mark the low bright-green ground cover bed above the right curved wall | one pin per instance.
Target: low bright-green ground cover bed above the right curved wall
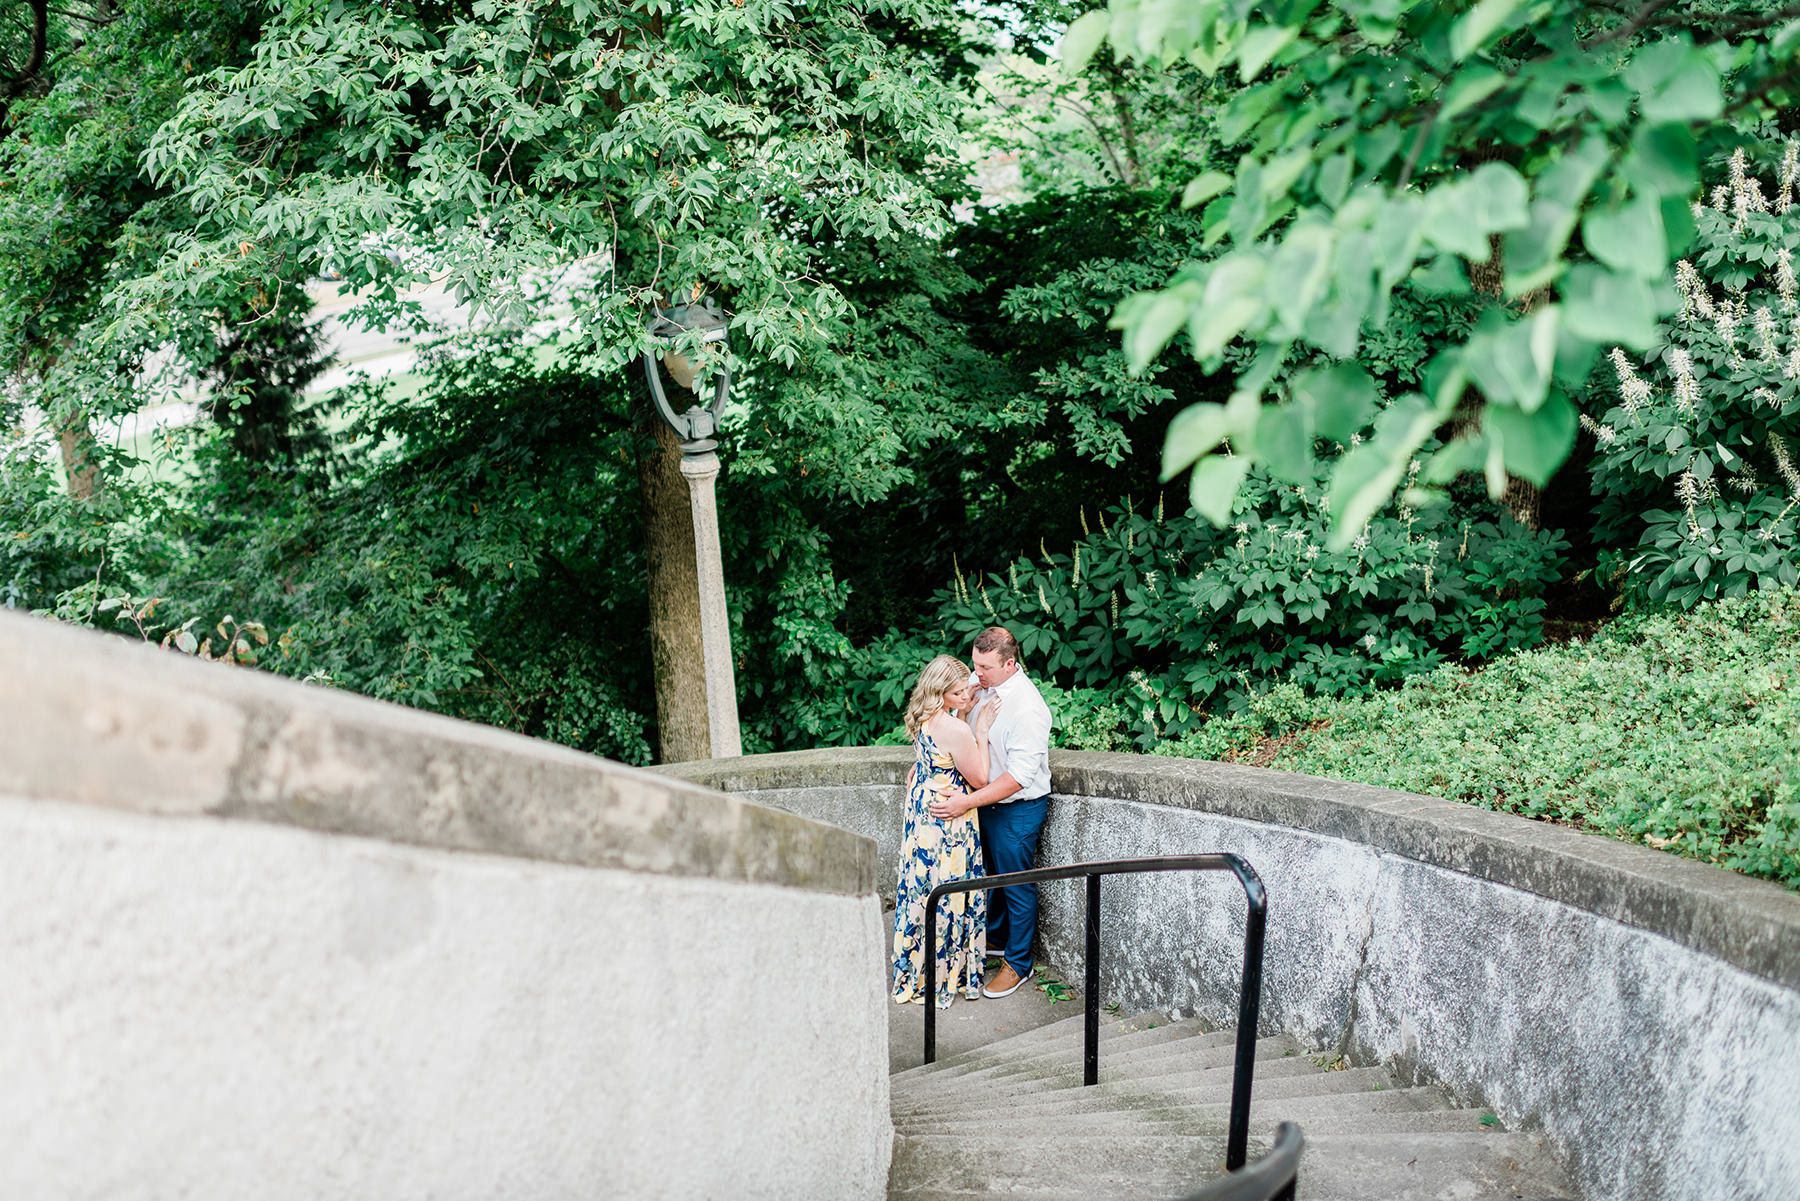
(1675, 730)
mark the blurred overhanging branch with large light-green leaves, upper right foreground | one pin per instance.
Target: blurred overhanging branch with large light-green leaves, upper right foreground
(1450, 145)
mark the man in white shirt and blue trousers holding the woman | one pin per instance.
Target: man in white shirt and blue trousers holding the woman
(1014, 804)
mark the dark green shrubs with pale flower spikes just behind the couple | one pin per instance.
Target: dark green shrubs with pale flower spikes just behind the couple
(1174, 619)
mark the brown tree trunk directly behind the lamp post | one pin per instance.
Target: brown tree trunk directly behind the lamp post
(676, 649)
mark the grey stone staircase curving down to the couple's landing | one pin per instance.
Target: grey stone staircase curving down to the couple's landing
(1012, 1121)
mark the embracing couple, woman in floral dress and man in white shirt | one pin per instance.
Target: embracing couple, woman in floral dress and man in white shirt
(975, 806)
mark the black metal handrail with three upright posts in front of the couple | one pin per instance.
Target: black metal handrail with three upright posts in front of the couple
(1257, 912)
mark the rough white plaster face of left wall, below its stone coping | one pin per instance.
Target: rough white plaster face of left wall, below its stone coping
(228, 1009)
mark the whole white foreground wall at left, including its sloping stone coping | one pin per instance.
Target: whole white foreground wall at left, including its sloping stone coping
(271, 941)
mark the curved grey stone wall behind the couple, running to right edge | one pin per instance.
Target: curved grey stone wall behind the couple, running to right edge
(1639, 1009)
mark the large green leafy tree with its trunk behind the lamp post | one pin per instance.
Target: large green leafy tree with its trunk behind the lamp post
(586, 159)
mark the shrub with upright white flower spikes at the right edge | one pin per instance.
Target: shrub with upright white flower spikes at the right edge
(1695, 465)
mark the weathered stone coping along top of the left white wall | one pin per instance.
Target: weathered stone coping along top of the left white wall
(107, 723)
